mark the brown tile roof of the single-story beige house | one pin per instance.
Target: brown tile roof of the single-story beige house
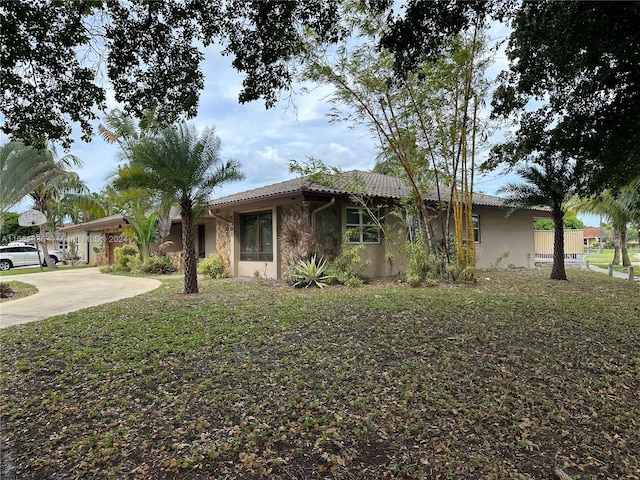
(370, 183)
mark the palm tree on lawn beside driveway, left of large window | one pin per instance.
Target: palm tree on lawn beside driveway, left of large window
(184, 167)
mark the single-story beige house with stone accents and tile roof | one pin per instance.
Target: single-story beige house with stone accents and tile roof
(251, 225)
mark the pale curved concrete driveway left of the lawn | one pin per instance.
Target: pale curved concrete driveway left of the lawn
(64, 290)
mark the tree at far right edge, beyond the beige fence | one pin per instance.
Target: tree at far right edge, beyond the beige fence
(619, 209)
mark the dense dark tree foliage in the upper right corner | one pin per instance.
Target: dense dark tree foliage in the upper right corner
(576, 53)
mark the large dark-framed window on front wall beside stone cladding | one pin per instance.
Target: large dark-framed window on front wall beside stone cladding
(256, 237)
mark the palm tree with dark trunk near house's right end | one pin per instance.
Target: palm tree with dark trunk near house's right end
(549, 183)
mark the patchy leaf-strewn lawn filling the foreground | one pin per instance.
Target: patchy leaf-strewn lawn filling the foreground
(510, 378)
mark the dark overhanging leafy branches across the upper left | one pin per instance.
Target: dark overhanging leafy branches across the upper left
(128, 37)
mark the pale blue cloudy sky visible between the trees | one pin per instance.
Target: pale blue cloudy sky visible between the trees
(264, 140)
